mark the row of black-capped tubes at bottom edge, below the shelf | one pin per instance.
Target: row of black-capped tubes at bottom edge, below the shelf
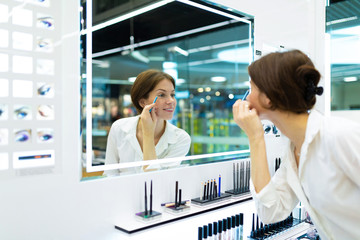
(230, 228)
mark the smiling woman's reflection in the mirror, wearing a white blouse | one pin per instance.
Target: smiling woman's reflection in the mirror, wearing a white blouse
(148, 136)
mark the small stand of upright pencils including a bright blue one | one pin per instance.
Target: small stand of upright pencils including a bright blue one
(210, 192)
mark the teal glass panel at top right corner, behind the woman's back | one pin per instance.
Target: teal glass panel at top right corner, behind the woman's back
(343, 26)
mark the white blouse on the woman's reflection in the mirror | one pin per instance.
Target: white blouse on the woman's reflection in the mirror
(123, 146)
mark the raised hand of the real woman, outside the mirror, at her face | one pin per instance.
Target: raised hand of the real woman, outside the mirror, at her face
(247, 119)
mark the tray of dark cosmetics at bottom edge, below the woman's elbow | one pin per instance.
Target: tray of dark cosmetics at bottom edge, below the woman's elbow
(263, 231)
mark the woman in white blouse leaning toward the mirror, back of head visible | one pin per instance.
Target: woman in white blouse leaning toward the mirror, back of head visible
(321, 167)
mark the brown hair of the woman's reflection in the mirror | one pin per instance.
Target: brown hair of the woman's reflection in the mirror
(145, 82)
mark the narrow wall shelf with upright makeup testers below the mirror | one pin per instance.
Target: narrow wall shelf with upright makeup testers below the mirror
(211, 196)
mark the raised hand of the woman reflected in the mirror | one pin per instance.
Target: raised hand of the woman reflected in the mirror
(148, 120)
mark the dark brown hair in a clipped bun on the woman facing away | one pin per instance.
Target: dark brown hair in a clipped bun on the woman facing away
(288, 79)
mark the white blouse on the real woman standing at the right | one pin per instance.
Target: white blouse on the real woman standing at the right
(327, 182)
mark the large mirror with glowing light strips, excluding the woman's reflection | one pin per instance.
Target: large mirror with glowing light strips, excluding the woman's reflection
(205, 47)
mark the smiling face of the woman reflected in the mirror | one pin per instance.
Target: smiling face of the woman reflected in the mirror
(166, 102)
